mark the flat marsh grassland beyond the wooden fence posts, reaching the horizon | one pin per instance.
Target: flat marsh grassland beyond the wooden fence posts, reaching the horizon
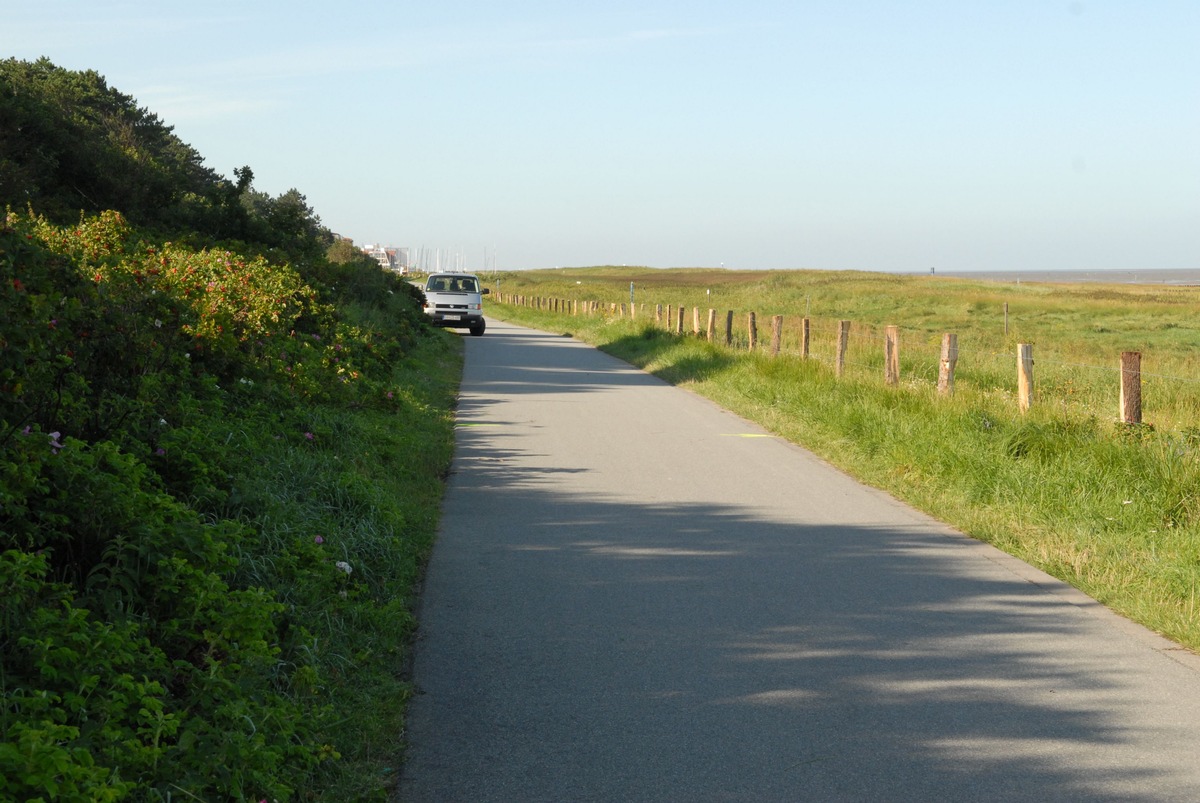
(1078, 331)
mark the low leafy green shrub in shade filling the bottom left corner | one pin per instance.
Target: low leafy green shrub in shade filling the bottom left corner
(127, 654)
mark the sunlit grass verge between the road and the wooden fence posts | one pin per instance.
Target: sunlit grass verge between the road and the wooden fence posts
(1113, 511)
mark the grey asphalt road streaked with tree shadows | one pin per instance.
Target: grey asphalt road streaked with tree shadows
(637, 596)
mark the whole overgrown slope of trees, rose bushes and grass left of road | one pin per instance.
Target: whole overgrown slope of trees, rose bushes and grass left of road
(224, 438)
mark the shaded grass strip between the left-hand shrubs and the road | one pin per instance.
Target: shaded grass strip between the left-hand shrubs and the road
(325, 487)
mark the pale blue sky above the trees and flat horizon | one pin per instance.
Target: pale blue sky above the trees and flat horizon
(1001, 135)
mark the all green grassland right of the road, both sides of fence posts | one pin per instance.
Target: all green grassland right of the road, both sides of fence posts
(1113, 510)
